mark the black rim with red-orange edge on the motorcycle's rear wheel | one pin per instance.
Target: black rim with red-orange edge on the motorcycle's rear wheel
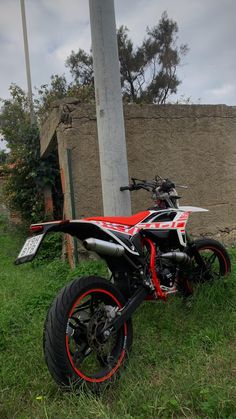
(93, 356)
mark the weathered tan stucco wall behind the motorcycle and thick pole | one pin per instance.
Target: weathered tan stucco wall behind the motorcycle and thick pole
(191, 144)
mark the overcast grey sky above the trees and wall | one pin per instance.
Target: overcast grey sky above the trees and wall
(55, 27)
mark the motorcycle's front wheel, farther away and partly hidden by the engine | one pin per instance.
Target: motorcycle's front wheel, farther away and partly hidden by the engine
(209, 262)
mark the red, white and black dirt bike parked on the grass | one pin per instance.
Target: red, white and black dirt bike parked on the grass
(150, 255)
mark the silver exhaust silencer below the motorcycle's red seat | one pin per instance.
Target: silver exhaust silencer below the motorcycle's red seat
(104, 248)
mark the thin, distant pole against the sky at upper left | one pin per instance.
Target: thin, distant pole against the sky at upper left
(27, 62)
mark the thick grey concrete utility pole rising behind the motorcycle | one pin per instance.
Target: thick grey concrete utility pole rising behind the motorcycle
(110, 119)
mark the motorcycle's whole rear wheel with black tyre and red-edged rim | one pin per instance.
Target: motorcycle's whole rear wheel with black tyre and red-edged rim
(74, 350)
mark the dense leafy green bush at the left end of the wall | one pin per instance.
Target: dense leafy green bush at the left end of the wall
(27, 174)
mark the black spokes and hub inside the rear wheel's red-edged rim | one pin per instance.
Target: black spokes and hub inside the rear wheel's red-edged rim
(90, 352)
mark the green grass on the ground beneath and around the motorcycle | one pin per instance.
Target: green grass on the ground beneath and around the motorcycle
(183, 362)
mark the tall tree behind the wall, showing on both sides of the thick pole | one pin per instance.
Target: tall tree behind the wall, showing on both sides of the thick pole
(148, 72)
